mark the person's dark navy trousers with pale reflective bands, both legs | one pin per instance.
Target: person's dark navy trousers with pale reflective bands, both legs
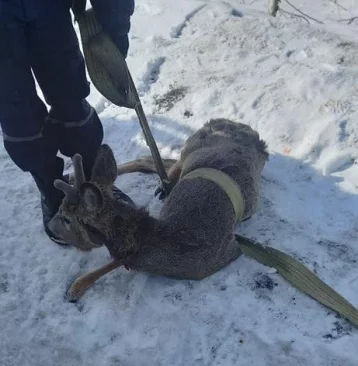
(37, 38)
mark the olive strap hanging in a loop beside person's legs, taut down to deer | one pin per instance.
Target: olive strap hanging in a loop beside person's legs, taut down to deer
(110, 75)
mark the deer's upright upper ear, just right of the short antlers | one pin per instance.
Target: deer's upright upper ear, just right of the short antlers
(104, 171)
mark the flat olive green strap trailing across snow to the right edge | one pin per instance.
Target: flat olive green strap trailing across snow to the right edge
(300, 277)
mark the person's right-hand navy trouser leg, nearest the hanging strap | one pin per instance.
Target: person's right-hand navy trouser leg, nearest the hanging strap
(60, 71)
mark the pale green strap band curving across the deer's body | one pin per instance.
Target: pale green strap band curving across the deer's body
(225, 182)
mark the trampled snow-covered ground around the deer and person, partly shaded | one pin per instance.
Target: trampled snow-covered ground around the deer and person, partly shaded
(297, 84)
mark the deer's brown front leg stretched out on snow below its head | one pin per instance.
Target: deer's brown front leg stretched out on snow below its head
(82, 283)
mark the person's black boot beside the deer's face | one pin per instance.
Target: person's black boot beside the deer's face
(51, 197)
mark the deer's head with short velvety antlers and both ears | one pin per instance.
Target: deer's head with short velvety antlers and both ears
(85, 214)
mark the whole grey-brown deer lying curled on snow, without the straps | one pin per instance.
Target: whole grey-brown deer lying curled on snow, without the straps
(193, 237)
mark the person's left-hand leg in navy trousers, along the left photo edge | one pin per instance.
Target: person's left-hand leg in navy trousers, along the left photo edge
(29, 142)
